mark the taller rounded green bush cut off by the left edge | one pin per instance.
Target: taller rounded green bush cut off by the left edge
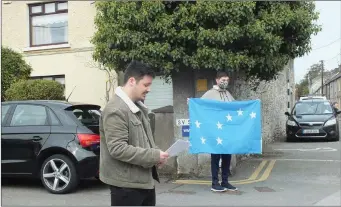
(13, 68)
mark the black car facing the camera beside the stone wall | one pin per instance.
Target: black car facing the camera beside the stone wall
(312, 118)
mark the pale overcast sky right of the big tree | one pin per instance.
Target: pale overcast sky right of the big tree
(330, 20)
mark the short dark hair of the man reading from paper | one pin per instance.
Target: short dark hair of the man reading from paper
(137, 70)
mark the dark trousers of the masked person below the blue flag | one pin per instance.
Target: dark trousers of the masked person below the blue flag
(225, 167)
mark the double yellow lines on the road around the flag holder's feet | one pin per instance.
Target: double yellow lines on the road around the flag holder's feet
(251, 179)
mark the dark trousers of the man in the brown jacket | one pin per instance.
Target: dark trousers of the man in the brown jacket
(132, 196)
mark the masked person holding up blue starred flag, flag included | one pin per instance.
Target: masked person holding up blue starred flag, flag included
(221, 126)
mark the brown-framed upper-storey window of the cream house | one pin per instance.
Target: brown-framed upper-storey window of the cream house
(48, 23)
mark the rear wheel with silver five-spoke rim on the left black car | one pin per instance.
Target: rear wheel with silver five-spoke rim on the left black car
(58, 174)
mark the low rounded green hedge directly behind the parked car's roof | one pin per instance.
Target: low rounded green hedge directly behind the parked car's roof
(35, 90)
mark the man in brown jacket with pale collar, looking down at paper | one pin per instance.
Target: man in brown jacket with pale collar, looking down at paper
(128, 154)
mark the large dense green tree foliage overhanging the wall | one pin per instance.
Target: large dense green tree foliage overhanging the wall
(258, 38)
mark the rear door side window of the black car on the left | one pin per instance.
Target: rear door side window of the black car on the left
(29, 115)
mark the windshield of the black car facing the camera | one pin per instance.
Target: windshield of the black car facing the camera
(312, 108)
